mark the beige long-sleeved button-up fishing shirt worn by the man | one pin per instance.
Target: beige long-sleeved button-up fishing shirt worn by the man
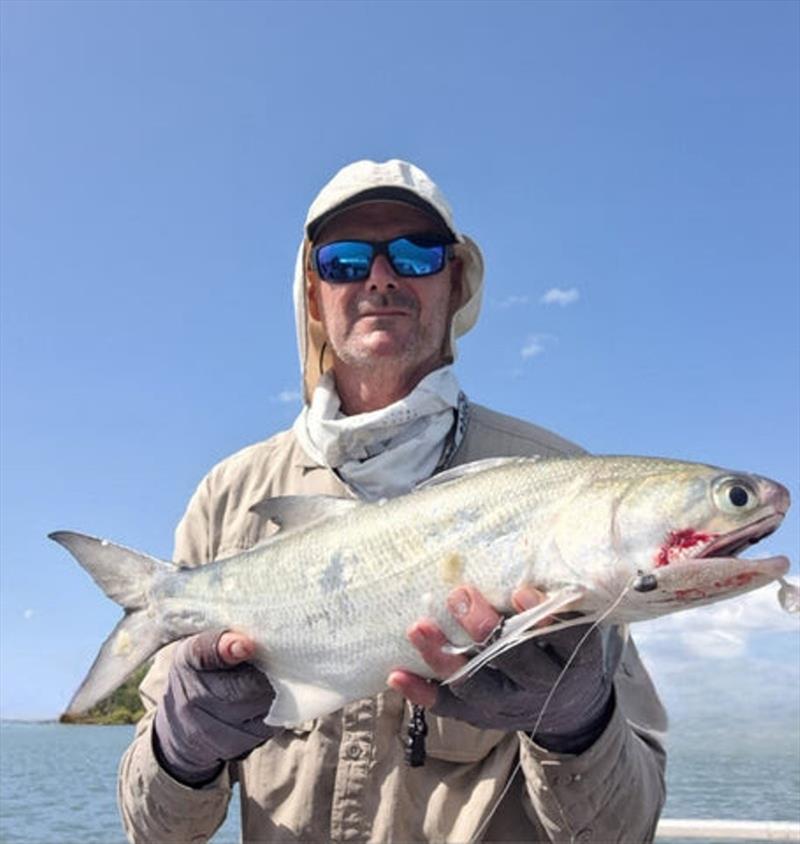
(342, 777)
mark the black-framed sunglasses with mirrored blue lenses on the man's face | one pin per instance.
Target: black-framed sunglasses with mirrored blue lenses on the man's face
(410, 256)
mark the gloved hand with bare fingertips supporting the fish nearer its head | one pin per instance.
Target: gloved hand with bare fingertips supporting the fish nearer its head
(511, 692)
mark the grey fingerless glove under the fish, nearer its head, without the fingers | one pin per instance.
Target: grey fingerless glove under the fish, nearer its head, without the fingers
(511, 691)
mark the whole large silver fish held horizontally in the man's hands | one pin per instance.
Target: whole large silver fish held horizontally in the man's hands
(328, 599)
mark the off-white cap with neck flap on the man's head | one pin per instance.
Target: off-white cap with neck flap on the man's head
(369, 181)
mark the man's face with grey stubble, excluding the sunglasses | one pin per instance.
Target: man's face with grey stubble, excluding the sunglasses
(386, 318)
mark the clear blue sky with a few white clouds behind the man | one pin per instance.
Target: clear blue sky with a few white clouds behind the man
(629, 169)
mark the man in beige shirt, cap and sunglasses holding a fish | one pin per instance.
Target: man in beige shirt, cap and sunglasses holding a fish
(384, 285)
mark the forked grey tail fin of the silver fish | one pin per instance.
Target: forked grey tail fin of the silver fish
(126, 576)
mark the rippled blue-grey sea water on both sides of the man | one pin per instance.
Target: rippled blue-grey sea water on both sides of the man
(57, 782)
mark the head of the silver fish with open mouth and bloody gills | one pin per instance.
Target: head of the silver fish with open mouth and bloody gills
(689, 557)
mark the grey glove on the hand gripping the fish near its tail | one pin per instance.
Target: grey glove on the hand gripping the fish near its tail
(211, 713)
